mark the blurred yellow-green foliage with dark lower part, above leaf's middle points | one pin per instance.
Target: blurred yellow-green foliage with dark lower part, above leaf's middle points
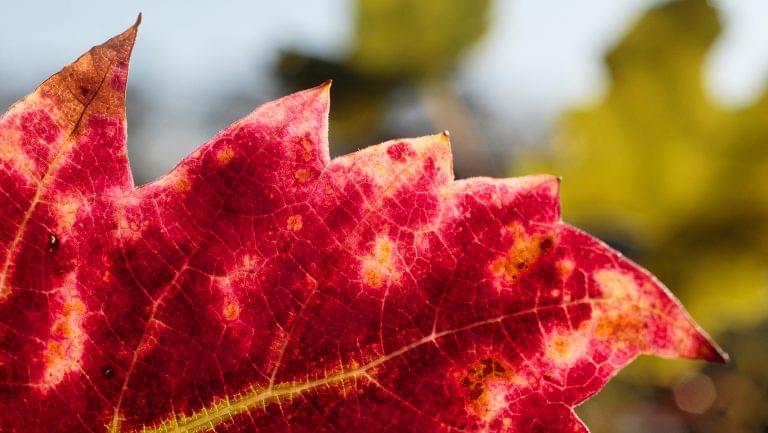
(398, 46)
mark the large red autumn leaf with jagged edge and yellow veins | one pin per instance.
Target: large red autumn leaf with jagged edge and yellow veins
(261, 286)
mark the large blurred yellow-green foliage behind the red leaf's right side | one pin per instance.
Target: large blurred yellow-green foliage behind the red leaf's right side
(672, 177)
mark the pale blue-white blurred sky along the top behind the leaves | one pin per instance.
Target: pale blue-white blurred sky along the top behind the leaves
(541, 55)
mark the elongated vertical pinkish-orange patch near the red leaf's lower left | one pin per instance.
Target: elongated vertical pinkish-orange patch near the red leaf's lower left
(64, 348)
